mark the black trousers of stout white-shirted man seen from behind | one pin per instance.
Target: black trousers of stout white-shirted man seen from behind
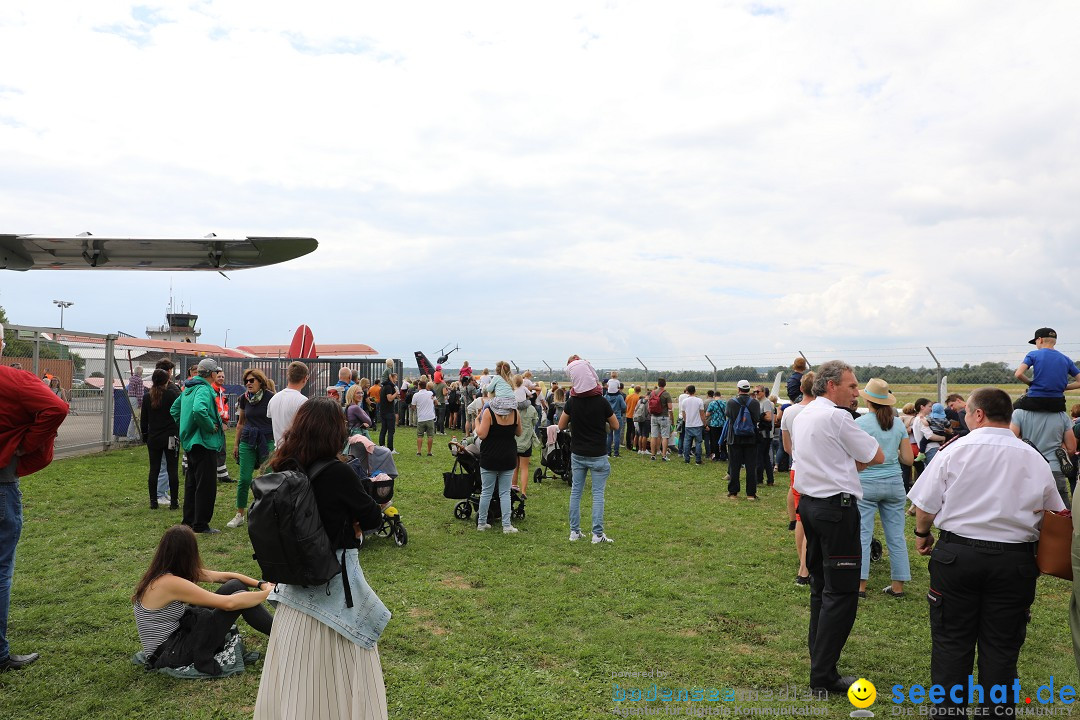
(979, 599)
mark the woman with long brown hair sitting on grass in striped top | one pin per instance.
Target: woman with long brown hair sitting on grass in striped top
(179, 622)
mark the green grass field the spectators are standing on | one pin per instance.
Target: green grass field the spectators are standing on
(485, 627)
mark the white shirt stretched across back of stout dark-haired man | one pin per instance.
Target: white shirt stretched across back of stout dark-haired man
(989, 485)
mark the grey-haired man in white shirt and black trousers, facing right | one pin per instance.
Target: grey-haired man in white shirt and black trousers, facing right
(830, 451)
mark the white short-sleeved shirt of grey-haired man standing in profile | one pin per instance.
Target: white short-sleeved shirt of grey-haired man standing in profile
(827, 443)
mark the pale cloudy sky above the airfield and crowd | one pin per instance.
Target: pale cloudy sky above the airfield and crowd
(742, 181)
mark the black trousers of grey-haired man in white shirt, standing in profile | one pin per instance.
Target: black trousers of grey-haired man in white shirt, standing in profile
(834, 559)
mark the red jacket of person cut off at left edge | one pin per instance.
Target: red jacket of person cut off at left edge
(30, 416)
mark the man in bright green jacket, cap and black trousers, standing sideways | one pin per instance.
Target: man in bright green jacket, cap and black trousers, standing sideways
(202, 438)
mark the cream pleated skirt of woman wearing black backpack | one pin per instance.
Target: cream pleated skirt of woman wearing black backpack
(314, 673)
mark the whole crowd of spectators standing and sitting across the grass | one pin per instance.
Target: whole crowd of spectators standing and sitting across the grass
(951, 461)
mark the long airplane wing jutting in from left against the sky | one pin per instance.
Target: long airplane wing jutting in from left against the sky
(86, 252)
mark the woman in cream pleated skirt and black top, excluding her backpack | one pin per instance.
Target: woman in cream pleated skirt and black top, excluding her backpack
(323, 660)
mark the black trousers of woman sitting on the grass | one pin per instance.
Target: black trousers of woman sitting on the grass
(204, 631)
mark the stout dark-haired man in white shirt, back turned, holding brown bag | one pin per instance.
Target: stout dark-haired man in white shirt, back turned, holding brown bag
(983, 572)
